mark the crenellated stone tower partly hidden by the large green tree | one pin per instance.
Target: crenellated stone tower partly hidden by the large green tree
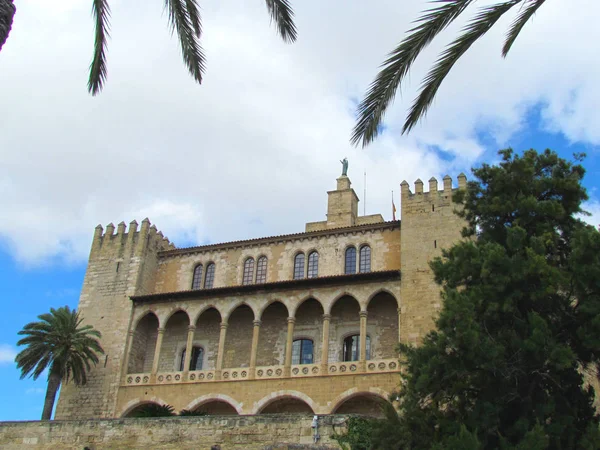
(429, 224)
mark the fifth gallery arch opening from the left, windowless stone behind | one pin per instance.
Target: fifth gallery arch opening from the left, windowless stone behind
(272, 336)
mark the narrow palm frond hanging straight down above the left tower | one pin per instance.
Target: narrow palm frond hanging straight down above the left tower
(101, 13)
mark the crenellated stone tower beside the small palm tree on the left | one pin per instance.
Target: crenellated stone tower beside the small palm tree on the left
(120, 264)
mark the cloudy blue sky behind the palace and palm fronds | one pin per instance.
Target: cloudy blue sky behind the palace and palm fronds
(253, 150)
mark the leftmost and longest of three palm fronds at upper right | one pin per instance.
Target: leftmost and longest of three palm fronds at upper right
(383, 89)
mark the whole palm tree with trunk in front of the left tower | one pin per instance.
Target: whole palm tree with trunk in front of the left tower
(60, 344)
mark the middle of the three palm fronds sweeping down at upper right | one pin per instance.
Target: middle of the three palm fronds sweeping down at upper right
(480, 25)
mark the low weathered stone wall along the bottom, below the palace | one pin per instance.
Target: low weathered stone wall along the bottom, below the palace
(198, 433)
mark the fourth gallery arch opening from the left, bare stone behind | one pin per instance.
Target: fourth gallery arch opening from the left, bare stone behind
(238, 344)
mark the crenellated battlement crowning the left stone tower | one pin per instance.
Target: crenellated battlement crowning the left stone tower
(129, 241)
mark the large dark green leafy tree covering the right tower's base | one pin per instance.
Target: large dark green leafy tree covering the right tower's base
(520, 319)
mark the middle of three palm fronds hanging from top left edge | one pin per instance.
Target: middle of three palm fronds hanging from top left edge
(184, 18)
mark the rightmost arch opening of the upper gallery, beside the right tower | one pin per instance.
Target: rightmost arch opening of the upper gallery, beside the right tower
(382, 325)
